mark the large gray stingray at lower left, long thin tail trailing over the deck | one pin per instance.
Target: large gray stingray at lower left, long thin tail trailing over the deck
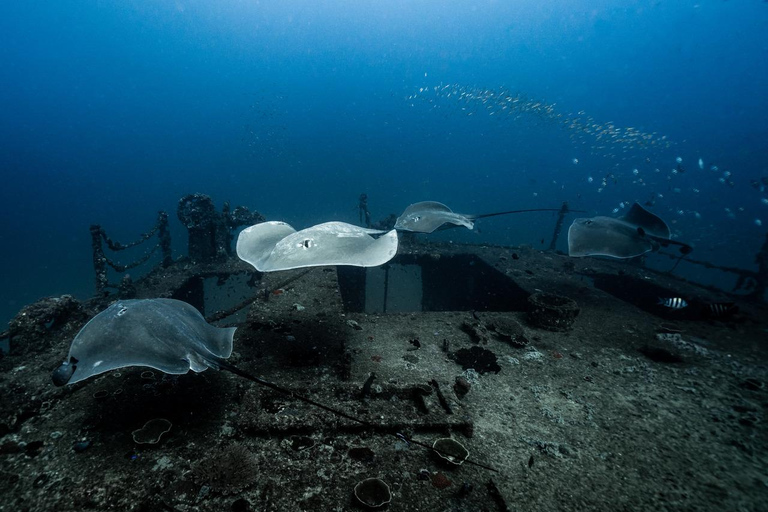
(171, 336)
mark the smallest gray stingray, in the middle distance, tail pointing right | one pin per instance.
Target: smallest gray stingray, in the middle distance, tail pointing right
(429, 216)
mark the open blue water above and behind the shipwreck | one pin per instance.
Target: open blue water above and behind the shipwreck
(112, 111)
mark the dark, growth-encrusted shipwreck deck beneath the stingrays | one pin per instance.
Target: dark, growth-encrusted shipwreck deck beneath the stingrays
(632, 408)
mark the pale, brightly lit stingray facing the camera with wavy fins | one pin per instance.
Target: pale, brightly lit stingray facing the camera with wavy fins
(271, 246)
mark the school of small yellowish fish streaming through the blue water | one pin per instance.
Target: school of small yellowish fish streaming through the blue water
(621, 146)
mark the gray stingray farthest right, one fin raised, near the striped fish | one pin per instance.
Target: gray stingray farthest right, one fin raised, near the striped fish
(636, 233)
